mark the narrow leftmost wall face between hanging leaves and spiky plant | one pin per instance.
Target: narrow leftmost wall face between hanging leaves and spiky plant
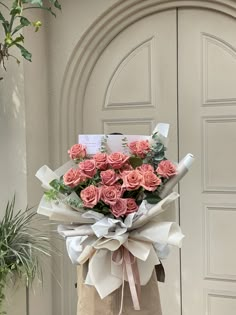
(13, 155)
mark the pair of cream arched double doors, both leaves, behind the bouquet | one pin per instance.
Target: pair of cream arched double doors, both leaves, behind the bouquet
(134, 85)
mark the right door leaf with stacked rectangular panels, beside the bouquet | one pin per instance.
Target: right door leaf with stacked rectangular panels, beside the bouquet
(207, 127)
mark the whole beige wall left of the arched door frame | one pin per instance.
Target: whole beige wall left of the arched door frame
(29, 102)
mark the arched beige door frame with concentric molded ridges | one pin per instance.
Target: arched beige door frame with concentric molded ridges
(80, 65)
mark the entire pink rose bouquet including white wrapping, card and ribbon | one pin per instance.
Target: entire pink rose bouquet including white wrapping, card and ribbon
(110, 195)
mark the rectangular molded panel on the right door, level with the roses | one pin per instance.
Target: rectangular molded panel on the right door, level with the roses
(213, 180)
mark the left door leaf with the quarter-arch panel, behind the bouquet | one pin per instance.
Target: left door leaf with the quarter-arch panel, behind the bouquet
(132, 87)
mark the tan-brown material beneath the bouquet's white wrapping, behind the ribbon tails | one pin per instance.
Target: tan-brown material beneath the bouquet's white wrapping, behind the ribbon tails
(89, 302)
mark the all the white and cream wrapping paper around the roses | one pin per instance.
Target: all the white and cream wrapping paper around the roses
(93, 238)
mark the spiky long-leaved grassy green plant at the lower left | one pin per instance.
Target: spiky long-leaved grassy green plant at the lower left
(22, 245)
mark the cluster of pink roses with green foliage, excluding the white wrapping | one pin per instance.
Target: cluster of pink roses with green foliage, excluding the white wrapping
(115, 184)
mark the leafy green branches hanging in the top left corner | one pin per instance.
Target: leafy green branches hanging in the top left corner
(13, 20)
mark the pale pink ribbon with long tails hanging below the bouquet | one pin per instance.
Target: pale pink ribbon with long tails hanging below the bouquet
(129, 263)
